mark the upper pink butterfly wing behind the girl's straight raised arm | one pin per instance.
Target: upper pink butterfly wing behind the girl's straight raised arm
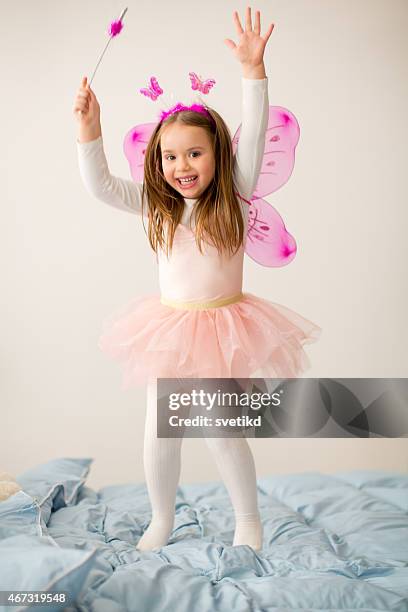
(282, 136)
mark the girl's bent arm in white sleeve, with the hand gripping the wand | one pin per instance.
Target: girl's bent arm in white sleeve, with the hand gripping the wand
(122, 194)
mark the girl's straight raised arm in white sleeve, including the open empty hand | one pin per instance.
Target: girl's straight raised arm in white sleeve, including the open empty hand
(255, 109)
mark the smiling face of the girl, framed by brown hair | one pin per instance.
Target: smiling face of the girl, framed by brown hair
(187, 153)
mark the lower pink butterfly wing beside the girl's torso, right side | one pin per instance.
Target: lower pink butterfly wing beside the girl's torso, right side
(268, 242)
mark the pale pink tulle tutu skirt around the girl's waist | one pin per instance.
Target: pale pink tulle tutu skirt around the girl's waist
(151, 339)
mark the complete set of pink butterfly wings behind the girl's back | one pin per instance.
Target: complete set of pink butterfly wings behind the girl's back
(267, 242)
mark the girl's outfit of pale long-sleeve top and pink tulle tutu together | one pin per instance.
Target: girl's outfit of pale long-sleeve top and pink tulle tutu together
(201, 325)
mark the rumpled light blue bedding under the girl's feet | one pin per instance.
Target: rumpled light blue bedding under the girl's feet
(331, 542)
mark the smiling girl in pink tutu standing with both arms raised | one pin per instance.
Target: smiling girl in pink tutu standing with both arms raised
(201, 325)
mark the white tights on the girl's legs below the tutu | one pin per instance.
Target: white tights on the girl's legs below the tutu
(161, 458)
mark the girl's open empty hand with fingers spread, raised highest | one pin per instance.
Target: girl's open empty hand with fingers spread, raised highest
(251, 45)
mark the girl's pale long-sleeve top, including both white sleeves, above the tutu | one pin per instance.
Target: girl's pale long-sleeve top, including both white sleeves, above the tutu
(188, 275)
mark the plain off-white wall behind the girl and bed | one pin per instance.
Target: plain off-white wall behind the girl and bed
(69, 260)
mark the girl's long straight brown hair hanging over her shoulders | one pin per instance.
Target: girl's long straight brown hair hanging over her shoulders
(217, 211)
